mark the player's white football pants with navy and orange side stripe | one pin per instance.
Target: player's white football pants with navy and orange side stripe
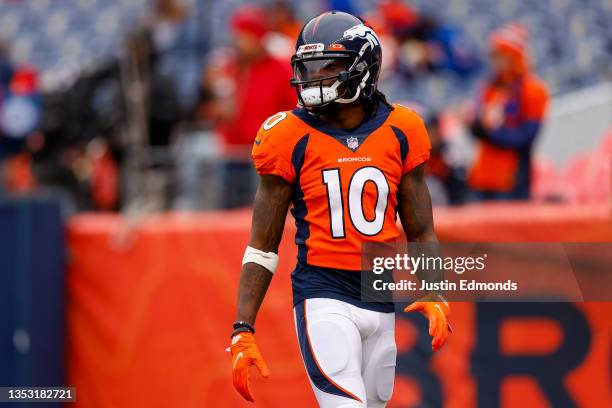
(349, 353)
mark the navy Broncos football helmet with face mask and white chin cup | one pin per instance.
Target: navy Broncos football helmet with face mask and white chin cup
(337, 59)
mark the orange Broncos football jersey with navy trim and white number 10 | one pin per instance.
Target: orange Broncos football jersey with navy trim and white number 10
(344, 181)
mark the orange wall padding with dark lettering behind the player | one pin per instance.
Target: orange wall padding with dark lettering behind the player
(150, 306)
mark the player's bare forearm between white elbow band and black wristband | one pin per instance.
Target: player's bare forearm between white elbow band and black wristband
(254, 282)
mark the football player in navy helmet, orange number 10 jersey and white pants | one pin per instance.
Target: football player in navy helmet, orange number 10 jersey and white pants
(347, 162)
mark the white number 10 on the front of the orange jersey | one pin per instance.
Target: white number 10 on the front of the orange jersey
(369, 227)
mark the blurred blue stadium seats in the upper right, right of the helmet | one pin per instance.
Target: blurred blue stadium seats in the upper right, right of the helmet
(570, 43)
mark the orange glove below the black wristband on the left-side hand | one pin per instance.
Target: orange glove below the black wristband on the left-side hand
(245, 353)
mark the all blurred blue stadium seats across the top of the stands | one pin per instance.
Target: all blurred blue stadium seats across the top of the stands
(571, 38)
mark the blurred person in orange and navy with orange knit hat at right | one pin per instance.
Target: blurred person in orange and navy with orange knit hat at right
(509, 115)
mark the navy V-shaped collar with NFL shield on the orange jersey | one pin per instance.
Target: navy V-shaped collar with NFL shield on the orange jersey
(367, 127)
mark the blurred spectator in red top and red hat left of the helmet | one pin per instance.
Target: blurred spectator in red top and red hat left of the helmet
(241, 90)
